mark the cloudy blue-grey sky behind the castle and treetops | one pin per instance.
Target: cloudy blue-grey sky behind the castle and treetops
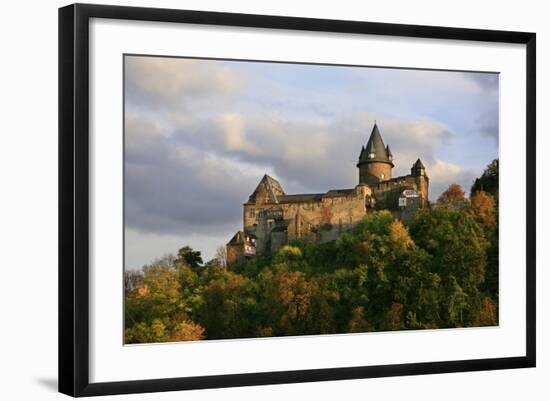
(200, 134)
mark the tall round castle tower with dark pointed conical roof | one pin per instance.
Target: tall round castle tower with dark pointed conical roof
(375, 161)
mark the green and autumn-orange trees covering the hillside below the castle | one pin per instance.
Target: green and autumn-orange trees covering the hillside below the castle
(439, 271)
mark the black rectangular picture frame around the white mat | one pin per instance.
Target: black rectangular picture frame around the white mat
(74, 198)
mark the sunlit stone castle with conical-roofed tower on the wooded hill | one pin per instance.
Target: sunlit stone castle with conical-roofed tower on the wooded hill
(272, 217)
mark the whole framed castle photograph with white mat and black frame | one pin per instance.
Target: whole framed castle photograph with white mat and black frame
(252, 199)
